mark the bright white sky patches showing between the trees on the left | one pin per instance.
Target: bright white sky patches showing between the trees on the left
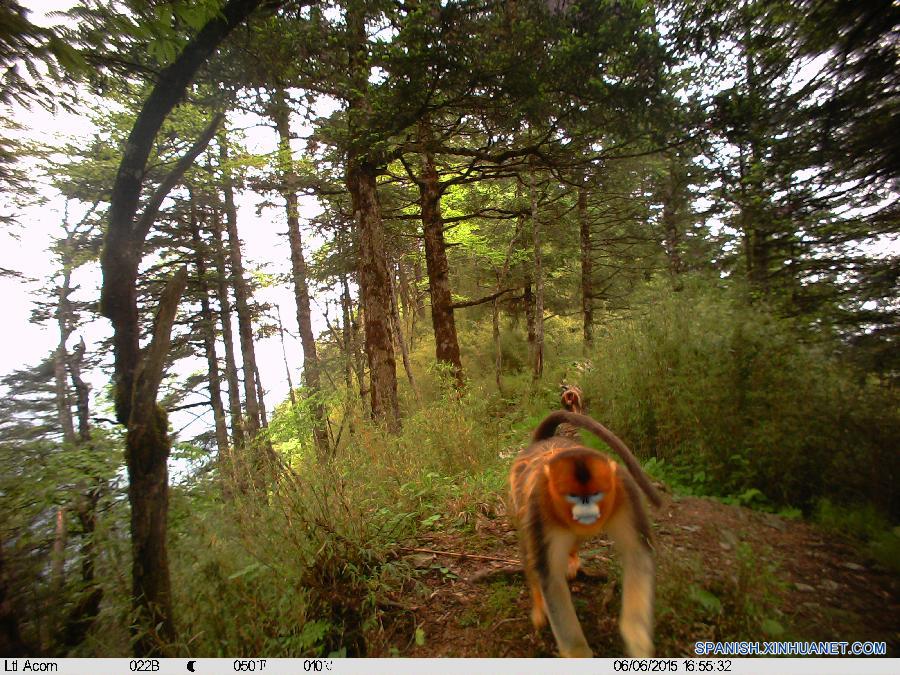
(24, 344)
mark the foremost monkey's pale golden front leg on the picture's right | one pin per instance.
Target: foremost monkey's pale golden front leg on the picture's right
(631, 536)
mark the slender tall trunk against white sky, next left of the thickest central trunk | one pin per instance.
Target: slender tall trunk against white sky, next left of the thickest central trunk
(311, 368)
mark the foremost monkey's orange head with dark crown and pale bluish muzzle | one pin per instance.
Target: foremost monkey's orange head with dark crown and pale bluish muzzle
(582, 486)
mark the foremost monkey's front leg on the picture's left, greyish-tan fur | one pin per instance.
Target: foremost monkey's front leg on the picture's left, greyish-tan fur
(558, 599)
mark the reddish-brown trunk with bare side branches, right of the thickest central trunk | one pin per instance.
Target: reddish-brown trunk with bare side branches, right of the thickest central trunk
(446, 342)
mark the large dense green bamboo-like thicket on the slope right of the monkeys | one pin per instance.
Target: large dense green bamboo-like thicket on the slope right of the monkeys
(728, 397)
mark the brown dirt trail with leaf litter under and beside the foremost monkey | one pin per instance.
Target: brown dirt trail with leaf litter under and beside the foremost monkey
(722, 572)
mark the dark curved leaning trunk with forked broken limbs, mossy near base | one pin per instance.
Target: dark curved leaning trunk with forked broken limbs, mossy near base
(137, 373)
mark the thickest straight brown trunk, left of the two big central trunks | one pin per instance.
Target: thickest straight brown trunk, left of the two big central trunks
(374, 286)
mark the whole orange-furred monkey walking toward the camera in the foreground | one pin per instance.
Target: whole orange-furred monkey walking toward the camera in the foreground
(549, 480)
